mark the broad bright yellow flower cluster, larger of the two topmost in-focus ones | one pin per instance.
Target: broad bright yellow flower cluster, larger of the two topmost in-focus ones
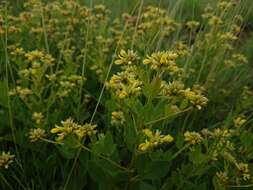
(165, 60)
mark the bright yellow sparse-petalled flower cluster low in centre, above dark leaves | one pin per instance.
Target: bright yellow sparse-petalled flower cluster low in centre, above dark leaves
(154, 139)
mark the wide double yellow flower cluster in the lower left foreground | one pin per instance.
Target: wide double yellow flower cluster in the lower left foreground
(70, 127)
